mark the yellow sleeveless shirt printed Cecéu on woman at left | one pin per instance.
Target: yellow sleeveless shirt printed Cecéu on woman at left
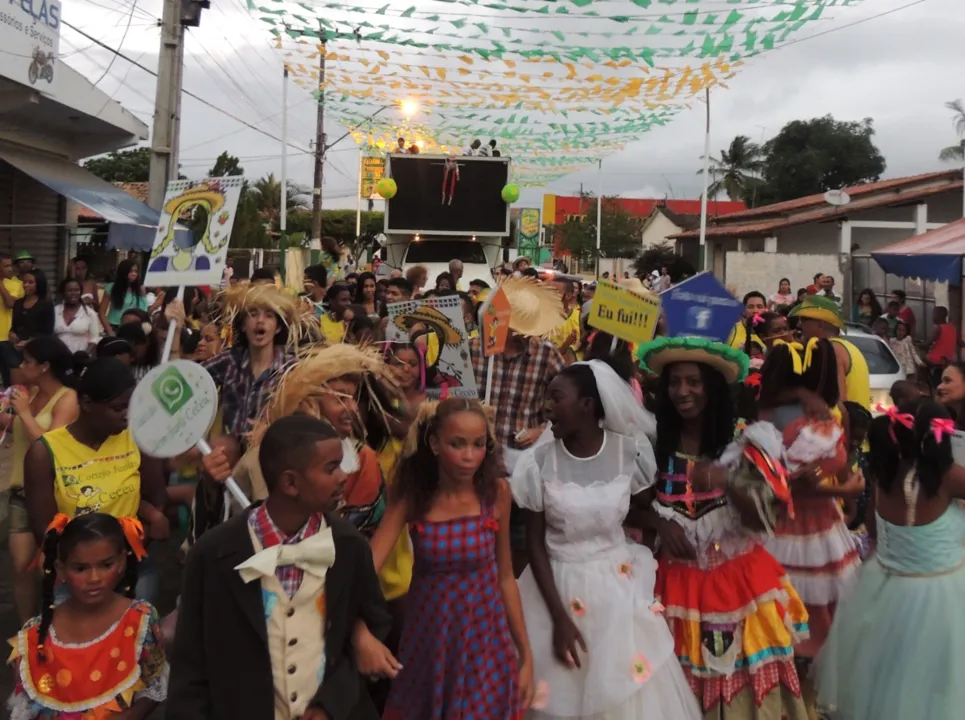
(86, 480)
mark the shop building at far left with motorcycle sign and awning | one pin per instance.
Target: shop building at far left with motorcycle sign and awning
(51, 117)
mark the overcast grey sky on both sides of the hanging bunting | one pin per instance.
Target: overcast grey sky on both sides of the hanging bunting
(898, 69)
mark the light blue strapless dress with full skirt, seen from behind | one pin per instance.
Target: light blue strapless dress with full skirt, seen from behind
(896, 650)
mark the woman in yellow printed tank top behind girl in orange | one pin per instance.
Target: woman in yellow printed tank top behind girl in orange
(93, 464)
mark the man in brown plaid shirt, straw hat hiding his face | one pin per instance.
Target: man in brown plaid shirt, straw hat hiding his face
(521, 374)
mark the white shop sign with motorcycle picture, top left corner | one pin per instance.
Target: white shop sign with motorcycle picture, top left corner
(30, 41)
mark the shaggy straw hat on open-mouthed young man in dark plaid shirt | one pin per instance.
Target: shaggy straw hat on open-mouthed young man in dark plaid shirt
(295, 313)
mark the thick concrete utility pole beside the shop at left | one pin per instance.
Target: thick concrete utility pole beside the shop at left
(176, 15)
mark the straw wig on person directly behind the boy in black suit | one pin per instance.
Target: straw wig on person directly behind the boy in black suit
(305, 382)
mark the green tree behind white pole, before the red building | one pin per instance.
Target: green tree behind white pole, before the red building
(621, 234)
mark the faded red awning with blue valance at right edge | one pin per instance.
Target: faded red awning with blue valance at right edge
(935, 255)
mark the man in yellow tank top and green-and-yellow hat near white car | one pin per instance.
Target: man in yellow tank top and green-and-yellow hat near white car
(820, 317)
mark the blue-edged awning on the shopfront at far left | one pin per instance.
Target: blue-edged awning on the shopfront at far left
(136, 223)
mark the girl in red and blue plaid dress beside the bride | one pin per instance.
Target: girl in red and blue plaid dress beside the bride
(464, 650)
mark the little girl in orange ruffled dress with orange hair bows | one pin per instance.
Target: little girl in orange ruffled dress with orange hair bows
(97, 655)
